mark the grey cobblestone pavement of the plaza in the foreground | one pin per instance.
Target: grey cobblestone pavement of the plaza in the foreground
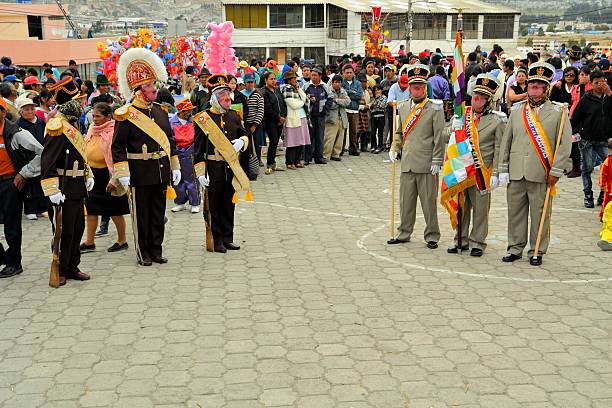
(316, 311)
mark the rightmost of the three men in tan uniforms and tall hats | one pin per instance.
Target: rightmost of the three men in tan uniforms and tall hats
(529, 163)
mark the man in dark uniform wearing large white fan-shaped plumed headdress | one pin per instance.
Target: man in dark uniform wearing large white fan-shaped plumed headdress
(144, 152)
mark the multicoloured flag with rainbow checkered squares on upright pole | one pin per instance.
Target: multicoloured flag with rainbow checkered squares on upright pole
(458, 172)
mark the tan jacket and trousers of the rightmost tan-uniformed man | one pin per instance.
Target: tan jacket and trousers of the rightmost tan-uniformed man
(527, 188)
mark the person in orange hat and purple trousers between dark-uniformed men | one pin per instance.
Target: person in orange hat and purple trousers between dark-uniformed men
(182, 127)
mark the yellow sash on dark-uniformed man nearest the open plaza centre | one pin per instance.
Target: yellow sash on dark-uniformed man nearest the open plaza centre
(240, 182)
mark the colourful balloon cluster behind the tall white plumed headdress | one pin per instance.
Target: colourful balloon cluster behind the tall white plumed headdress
(176, 52)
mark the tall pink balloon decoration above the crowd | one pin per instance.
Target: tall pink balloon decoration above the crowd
(219, 56)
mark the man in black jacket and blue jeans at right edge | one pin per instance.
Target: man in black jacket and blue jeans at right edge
(592, 124)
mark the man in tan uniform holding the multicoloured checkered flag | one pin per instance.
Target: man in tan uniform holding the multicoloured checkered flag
(485, 129)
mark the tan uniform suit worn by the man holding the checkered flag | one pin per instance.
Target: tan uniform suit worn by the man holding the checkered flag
(490, 134)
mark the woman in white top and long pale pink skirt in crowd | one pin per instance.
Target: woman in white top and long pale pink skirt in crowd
(296, 125)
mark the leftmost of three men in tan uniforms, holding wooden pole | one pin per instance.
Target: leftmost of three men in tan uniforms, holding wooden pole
(420, 138)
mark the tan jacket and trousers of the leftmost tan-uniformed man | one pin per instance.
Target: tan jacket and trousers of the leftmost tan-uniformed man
(424, 147)
